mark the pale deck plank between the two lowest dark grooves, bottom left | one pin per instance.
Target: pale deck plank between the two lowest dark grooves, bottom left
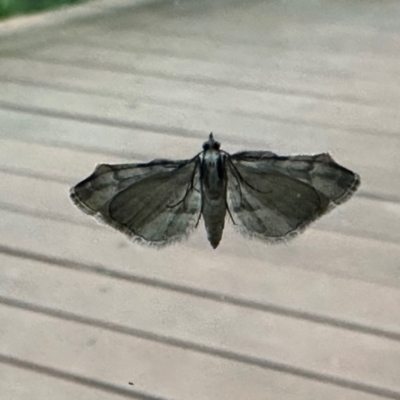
(117, 358)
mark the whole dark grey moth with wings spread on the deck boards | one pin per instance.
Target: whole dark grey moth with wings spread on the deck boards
(266, 196)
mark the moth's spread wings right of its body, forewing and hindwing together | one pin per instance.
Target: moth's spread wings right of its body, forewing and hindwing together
(274, 198)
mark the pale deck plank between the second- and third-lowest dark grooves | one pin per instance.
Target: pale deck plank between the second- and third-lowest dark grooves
(350, 355)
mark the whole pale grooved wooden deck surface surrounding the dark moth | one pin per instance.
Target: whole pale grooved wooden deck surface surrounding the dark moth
(83, 312)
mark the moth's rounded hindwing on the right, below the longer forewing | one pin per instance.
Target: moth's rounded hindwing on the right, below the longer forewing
(270, 205)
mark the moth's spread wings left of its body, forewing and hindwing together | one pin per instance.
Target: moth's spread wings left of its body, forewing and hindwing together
(157, 203)
